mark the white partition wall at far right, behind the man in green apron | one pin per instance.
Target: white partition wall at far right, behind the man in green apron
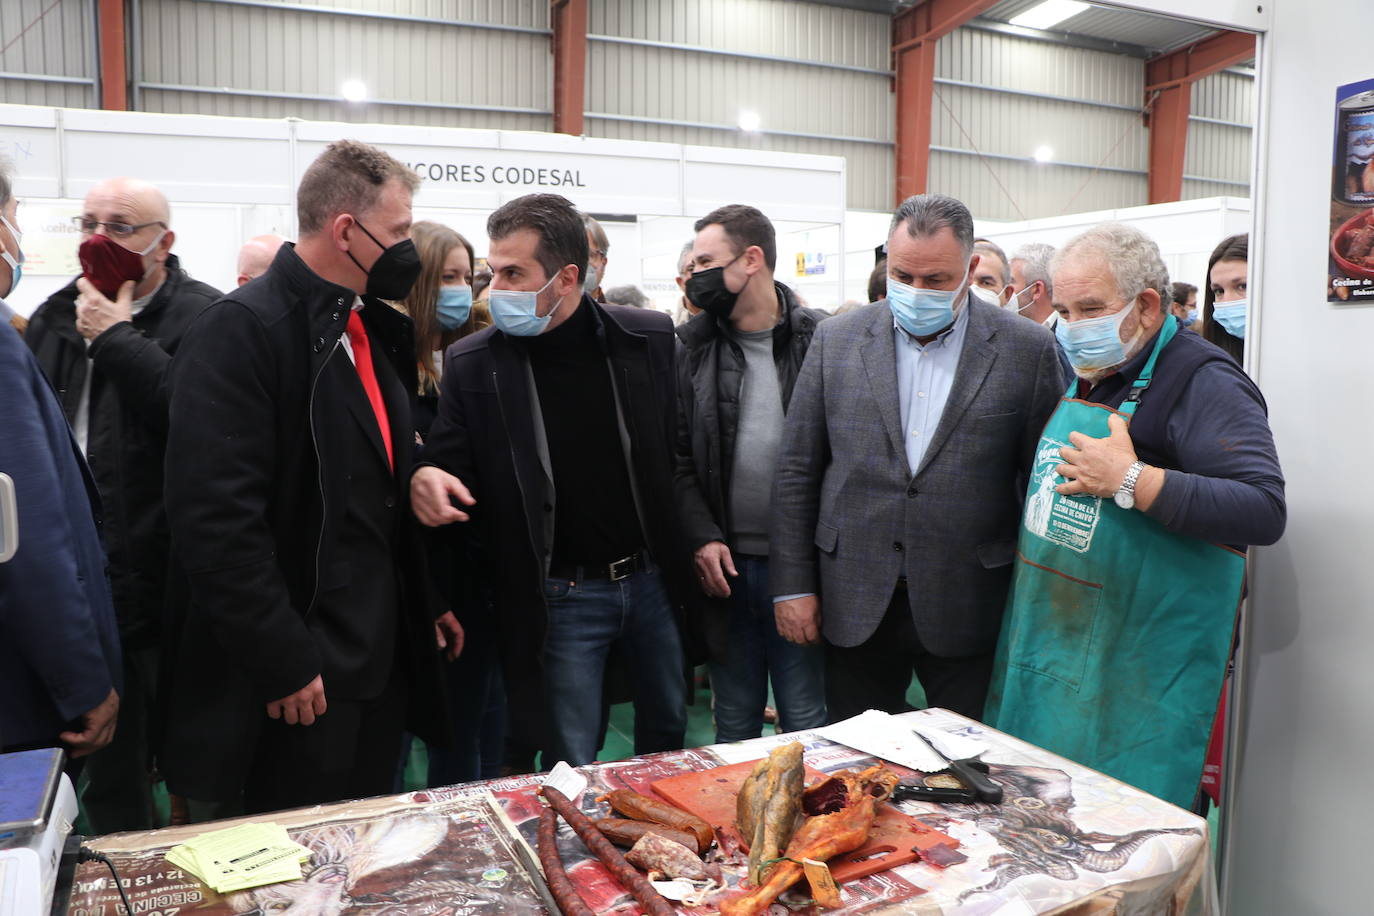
(1298, 841)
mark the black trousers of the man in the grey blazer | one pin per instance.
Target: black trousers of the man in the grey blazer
(877, 674)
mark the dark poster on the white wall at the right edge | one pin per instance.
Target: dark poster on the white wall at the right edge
(1350, 275)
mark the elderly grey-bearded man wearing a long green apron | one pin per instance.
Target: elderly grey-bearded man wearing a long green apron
(1151, 480)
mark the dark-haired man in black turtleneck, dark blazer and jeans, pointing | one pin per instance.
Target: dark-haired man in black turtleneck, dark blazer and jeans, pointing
(556, 429)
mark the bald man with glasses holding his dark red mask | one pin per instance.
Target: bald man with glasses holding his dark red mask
(106, 341)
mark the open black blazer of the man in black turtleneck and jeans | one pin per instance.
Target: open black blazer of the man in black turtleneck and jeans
(486, 436)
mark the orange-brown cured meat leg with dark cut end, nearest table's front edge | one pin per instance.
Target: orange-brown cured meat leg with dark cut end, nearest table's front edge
(822, 837)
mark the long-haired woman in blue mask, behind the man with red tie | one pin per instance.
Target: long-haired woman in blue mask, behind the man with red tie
(442, 307)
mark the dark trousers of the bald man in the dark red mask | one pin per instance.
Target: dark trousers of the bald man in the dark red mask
(119, 789)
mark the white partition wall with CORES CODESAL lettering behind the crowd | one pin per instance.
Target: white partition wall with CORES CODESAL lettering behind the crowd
(230, 179)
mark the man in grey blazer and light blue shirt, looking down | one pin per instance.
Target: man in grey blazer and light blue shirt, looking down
(902, 474)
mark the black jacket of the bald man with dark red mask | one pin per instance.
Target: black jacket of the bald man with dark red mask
(127, 433)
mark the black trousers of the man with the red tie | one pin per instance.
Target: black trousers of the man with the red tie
(348, 753)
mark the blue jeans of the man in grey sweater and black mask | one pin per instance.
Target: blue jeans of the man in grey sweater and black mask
(740, 680)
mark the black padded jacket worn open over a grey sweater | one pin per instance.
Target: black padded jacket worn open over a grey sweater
(711, 377)
